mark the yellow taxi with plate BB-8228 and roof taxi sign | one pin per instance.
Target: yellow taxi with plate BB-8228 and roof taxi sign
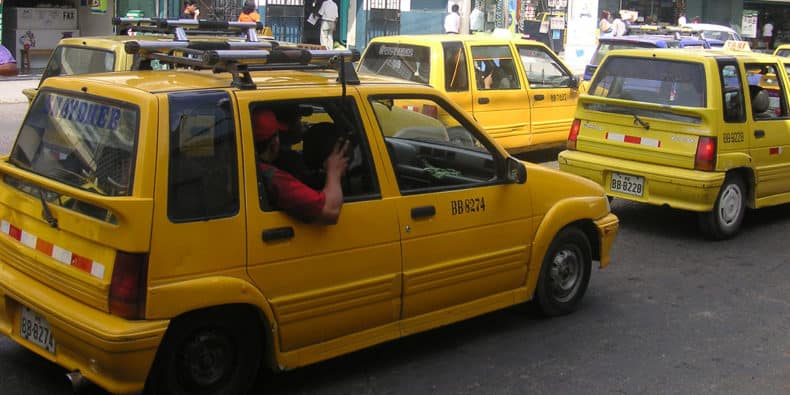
(704, 131)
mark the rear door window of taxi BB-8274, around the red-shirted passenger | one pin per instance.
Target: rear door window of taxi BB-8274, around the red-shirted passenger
(311, 129)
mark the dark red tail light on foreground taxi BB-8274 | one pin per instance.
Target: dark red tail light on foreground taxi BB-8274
(129, 285)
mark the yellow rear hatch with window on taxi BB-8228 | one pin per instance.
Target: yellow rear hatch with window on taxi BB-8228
(656, 112)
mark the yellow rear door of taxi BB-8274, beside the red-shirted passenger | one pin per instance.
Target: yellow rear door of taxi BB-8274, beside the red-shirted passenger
(323, 282)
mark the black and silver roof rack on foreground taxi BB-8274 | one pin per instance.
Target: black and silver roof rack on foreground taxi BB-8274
(241, 58)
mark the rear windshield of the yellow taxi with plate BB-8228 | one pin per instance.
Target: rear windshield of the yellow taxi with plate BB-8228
(656, 81)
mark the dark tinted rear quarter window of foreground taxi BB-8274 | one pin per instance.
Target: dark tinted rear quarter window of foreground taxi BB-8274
(203, 180)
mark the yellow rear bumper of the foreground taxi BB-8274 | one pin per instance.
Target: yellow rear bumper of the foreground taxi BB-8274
(112, 352)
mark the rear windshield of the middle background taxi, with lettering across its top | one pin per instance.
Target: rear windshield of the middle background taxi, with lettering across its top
(404, 61)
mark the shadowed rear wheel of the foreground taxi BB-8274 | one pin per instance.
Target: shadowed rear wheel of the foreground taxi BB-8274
(216, 351)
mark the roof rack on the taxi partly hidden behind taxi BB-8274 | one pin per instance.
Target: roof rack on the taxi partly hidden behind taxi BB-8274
(180, 28)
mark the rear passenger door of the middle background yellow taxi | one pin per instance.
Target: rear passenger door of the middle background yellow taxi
(498, 96)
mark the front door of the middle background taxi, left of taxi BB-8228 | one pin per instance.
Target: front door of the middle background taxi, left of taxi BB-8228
(549, 93)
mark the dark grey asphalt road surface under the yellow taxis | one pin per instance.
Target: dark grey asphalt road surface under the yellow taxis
(673, 314)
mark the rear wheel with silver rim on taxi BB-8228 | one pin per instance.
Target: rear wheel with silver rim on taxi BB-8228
(724, 221)
